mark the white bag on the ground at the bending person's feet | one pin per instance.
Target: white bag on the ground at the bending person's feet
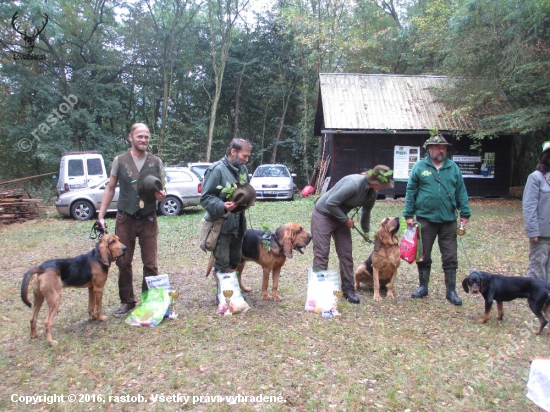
(321, 285)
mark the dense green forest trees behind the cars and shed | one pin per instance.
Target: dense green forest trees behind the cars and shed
(200, 72)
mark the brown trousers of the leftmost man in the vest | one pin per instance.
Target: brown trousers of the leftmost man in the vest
(128, 228)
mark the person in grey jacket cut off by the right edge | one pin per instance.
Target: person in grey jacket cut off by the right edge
(536, 215)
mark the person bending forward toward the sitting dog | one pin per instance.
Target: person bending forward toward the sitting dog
(330, 220)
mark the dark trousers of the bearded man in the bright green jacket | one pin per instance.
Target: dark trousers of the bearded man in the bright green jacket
(446, 238)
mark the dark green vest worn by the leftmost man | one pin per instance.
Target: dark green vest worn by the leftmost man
(128, 200)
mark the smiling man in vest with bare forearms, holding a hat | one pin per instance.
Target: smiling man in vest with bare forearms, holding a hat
(136, 216)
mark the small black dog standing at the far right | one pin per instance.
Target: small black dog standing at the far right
(506, 288)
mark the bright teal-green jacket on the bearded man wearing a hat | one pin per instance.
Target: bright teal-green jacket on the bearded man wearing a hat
(433, 200)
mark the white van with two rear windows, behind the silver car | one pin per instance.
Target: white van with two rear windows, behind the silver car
(80, 170)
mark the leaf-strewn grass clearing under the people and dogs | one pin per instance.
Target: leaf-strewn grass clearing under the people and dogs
(401, 355)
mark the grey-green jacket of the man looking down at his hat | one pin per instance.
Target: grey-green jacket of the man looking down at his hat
(212, 199)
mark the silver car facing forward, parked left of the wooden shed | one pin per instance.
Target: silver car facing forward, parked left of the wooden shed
(273, 181)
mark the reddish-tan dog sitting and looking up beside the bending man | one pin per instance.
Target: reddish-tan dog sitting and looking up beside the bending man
(380, 269)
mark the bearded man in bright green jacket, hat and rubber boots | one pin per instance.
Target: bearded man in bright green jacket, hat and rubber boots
(435, 191)
